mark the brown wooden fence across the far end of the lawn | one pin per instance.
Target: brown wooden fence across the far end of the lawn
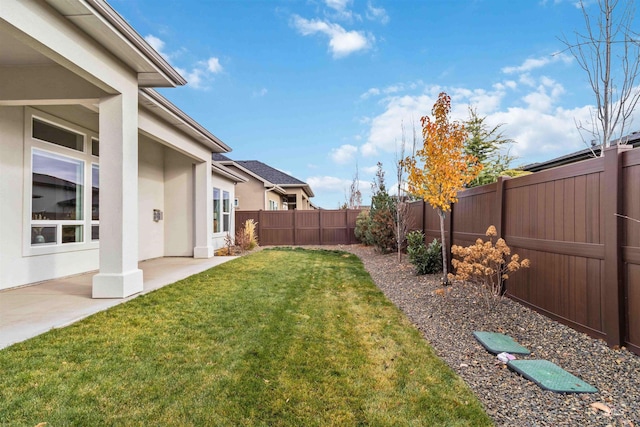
(296, 227)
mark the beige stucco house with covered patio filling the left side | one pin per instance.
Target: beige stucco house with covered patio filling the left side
(97, 170)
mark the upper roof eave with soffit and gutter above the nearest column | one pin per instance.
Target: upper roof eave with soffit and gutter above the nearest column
(98, 19)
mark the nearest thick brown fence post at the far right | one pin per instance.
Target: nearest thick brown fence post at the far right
(613, 292)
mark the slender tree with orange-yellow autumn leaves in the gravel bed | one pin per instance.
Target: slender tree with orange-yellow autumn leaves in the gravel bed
(441, 168)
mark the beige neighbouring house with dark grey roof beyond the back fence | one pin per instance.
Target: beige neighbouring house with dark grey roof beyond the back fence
(267, 188)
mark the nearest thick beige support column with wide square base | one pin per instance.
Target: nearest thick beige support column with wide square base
(119, 276)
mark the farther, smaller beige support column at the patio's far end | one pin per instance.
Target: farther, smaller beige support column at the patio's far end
(203, 206)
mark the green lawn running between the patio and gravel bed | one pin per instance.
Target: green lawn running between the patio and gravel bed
(277, 338)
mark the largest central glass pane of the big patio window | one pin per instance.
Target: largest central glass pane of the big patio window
(57, 187)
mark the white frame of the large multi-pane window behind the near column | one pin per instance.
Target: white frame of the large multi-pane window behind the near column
(32, 145)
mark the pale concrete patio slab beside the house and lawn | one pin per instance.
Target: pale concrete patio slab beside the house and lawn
(32, 310)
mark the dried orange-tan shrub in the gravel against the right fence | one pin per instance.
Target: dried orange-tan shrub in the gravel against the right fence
(486, 265)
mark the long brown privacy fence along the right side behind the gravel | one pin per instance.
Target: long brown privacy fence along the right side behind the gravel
(585, 260)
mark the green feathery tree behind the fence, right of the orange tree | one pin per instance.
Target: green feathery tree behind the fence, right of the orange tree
(484, 143)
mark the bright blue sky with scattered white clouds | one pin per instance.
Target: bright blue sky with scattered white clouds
(316, 87)
